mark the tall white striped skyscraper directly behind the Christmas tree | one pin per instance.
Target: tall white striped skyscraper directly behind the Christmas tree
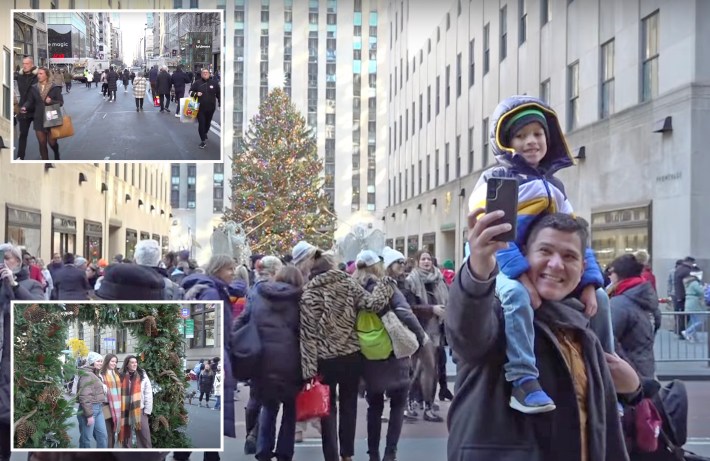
(328, 56)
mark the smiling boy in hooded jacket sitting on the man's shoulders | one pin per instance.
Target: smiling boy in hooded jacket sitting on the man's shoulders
(528, 143)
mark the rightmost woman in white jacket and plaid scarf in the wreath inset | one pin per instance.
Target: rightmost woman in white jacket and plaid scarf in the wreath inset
(136, 405)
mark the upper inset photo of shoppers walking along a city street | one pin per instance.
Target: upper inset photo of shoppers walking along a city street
(130, 85)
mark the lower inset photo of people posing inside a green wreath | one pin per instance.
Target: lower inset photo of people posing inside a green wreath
(116, 376)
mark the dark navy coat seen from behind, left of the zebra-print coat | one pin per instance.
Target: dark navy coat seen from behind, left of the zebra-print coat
(273, 307)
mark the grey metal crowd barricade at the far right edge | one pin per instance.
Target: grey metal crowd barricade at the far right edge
(671, 346)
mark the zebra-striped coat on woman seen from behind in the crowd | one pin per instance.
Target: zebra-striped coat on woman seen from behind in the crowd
(329, 307)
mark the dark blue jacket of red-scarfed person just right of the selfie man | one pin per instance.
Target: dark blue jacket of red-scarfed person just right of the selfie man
(636, 318)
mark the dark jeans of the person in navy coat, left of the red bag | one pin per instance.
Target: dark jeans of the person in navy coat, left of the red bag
(267, 429)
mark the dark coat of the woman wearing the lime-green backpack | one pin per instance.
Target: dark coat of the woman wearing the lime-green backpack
(391, 374)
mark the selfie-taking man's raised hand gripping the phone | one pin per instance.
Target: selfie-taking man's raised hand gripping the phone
(482, 232)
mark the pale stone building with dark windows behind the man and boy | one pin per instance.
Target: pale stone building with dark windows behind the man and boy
(628, 81)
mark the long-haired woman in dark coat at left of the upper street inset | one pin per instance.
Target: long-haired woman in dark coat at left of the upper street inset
(42, 94)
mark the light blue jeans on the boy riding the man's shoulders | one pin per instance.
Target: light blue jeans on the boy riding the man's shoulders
(519, 332)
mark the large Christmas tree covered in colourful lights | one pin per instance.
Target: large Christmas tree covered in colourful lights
(277, 186)
